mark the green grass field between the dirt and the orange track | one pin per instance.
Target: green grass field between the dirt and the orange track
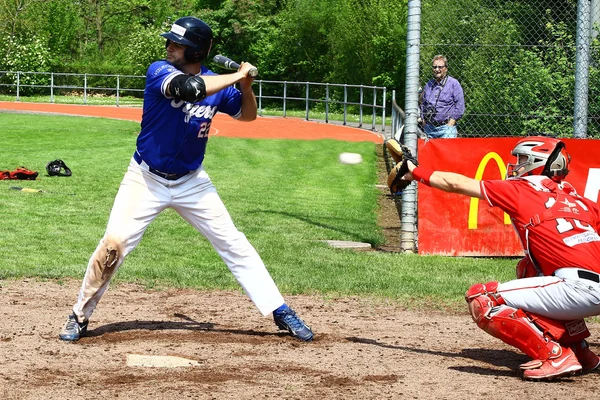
(285, 195)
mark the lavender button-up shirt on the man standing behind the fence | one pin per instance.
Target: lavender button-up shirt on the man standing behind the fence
(447, 97)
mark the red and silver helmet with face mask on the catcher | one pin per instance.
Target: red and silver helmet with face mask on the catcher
(538, 155)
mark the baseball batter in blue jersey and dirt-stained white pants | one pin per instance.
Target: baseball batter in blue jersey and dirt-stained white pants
(166, 171)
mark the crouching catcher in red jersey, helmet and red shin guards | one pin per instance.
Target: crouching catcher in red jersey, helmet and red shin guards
(542, 312)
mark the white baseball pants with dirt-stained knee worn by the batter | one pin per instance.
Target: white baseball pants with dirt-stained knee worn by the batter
(141, 197)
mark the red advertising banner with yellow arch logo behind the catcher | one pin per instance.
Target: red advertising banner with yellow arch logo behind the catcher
(456, 225)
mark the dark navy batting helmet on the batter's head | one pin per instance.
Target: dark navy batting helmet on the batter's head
(195, 34)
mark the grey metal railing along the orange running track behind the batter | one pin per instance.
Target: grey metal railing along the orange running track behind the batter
(323, 99)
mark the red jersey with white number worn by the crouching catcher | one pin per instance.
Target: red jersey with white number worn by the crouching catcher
(565, 225)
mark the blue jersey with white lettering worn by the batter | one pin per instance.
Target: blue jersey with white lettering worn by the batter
(175, 133)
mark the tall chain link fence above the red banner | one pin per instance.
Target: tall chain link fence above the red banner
(518, 64)
